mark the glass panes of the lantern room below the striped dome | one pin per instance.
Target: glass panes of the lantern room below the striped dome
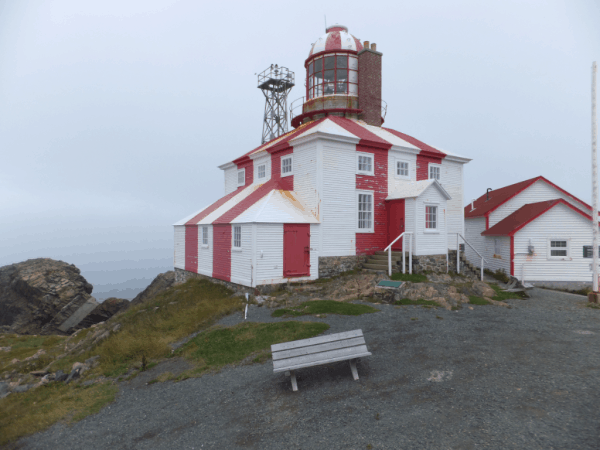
(332, 74)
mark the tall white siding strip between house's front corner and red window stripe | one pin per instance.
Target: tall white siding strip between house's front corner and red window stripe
(338, 207)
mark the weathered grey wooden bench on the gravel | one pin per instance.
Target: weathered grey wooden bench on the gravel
(290, 356)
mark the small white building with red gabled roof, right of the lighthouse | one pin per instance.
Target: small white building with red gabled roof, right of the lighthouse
(533, 230)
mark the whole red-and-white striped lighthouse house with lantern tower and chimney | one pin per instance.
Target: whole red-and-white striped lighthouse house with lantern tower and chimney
(340, 185)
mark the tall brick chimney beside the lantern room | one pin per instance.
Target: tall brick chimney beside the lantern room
(369, 84)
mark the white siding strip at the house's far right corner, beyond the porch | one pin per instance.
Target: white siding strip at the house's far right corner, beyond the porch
(452, 181)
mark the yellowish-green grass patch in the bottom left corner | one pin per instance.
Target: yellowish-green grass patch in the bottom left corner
(35, 410)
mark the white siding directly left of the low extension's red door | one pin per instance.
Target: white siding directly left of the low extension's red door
(269, 252)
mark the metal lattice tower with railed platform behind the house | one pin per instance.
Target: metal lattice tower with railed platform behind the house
(275, 83)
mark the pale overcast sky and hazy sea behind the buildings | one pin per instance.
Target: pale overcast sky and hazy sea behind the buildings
(115, 114)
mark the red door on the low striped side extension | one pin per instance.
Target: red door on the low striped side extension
(296, 250)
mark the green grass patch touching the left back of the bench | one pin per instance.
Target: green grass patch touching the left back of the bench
(216, 348)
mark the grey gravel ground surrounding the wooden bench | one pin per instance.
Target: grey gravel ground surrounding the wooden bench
(490, 377)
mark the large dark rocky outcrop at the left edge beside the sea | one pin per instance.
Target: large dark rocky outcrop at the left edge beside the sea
(45, 296)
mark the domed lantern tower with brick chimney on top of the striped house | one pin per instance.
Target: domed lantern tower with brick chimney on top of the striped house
(343, 78)
